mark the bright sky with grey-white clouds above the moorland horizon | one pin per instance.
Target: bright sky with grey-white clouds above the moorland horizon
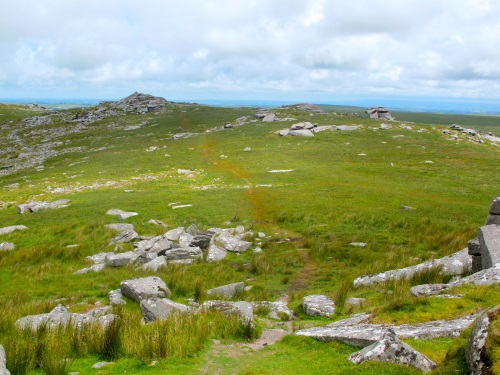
(322, 50)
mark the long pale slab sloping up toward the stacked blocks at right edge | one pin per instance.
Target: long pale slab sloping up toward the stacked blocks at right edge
(454, 264)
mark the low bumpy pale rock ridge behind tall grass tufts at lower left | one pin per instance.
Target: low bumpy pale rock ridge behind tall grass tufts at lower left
(60, 316)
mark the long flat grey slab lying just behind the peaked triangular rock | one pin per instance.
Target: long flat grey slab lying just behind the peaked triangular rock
(363, 334)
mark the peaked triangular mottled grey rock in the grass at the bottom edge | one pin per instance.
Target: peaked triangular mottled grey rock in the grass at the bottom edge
(391, 349)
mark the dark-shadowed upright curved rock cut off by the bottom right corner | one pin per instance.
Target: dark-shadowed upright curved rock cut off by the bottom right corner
(475, 352)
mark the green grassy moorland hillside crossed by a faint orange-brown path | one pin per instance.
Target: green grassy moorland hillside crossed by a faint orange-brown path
(343, 187)
